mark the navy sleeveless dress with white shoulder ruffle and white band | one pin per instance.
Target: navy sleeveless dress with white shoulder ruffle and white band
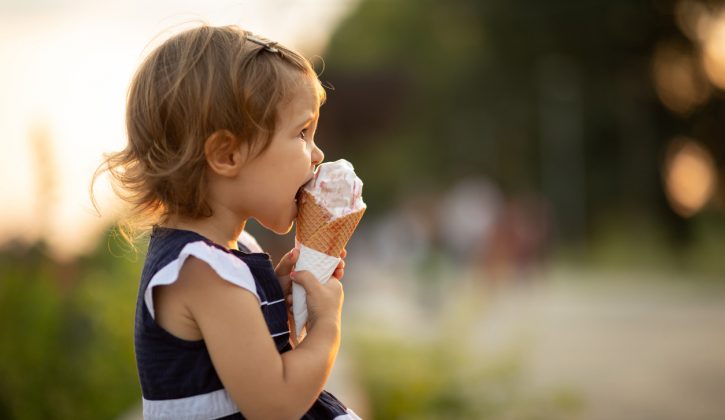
(178, 380)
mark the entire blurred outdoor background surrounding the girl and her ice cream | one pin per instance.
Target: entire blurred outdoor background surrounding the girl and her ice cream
(546, 198)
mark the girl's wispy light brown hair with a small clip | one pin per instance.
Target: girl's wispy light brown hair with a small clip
(196, 83)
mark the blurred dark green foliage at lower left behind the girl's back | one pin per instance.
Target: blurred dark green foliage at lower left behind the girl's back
(67, 347)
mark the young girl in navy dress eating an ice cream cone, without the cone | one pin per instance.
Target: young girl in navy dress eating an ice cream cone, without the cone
(221, 129)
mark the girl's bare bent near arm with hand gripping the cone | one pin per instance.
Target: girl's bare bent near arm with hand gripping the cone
(263, 383)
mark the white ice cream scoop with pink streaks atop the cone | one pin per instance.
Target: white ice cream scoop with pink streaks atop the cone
(336, 187)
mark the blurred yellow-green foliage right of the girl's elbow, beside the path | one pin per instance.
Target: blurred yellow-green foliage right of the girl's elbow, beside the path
(443, 377)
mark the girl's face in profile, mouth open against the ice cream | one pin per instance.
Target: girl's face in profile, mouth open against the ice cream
(271, 180)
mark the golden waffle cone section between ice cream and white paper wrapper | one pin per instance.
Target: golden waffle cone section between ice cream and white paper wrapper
(316, 229)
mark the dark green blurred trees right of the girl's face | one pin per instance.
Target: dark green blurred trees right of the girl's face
(554, 97)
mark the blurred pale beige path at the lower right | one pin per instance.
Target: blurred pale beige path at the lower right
(633, 346)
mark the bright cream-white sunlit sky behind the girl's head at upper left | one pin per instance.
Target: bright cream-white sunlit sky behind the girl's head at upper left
(65, 72)
